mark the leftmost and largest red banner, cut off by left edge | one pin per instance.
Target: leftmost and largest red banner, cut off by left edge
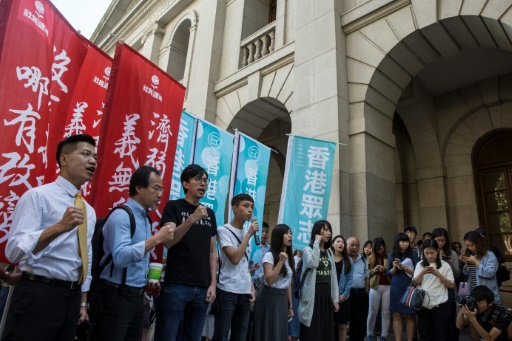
(40, 58)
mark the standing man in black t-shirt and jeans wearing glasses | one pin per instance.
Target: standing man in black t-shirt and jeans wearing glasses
(190, 277)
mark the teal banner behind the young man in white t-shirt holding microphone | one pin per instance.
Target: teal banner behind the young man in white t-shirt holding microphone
(249, 174)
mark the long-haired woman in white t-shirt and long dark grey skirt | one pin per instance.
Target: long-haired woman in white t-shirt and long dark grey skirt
(274, 302)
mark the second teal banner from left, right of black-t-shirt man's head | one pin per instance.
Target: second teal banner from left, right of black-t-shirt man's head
(213, 150)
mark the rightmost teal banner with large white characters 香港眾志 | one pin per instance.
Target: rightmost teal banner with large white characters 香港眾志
(306, 186)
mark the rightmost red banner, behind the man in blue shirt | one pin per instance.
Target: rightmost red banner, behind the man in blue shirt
(140, 127)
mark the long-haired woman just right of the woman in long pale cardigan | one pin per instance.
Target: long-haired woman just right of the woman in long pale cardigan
(345, 274)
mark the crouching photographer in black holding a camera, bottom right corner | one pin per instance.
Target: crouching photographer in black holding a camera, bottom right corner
(487, 320)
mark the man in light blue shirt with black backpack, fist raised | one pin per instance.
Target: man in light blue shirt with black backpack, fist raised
(117, 307)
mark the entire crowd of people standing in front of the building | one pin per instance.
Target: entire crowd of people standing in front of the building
(345, 291)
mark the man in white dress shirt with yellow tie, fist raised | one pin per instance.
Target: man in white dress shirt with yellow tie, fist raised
(52, 253)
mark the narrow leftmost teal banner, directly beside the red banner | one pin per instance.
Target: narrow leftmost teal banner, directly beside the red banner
(184, 153)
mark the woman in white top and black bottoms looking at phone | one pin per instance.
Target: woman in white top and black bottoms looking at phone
(435, 276)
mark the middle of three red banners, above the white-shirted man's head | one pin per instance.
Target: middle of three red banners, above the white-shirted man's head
(85, 112)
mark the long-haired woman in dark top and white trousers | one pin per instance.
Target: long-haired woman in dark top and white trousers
(379, 288)
